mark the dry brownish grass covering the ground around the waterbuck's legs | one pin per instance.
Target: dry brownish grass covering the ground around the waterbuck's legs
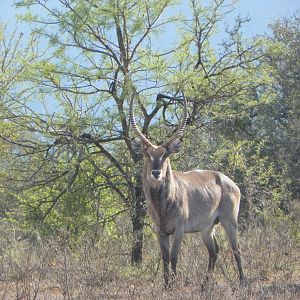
(54, 270)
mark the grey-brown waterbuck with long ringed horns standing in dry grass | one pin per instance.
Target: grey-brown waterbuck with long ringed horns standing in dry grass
(185, 202)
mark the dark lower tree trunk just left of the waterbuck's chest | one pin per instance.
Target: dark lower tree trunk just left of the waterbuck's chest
(138, 222)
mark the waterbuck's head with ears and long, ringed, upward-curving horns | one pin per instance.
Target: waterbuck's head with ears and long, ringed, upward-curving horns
(157, 157)
